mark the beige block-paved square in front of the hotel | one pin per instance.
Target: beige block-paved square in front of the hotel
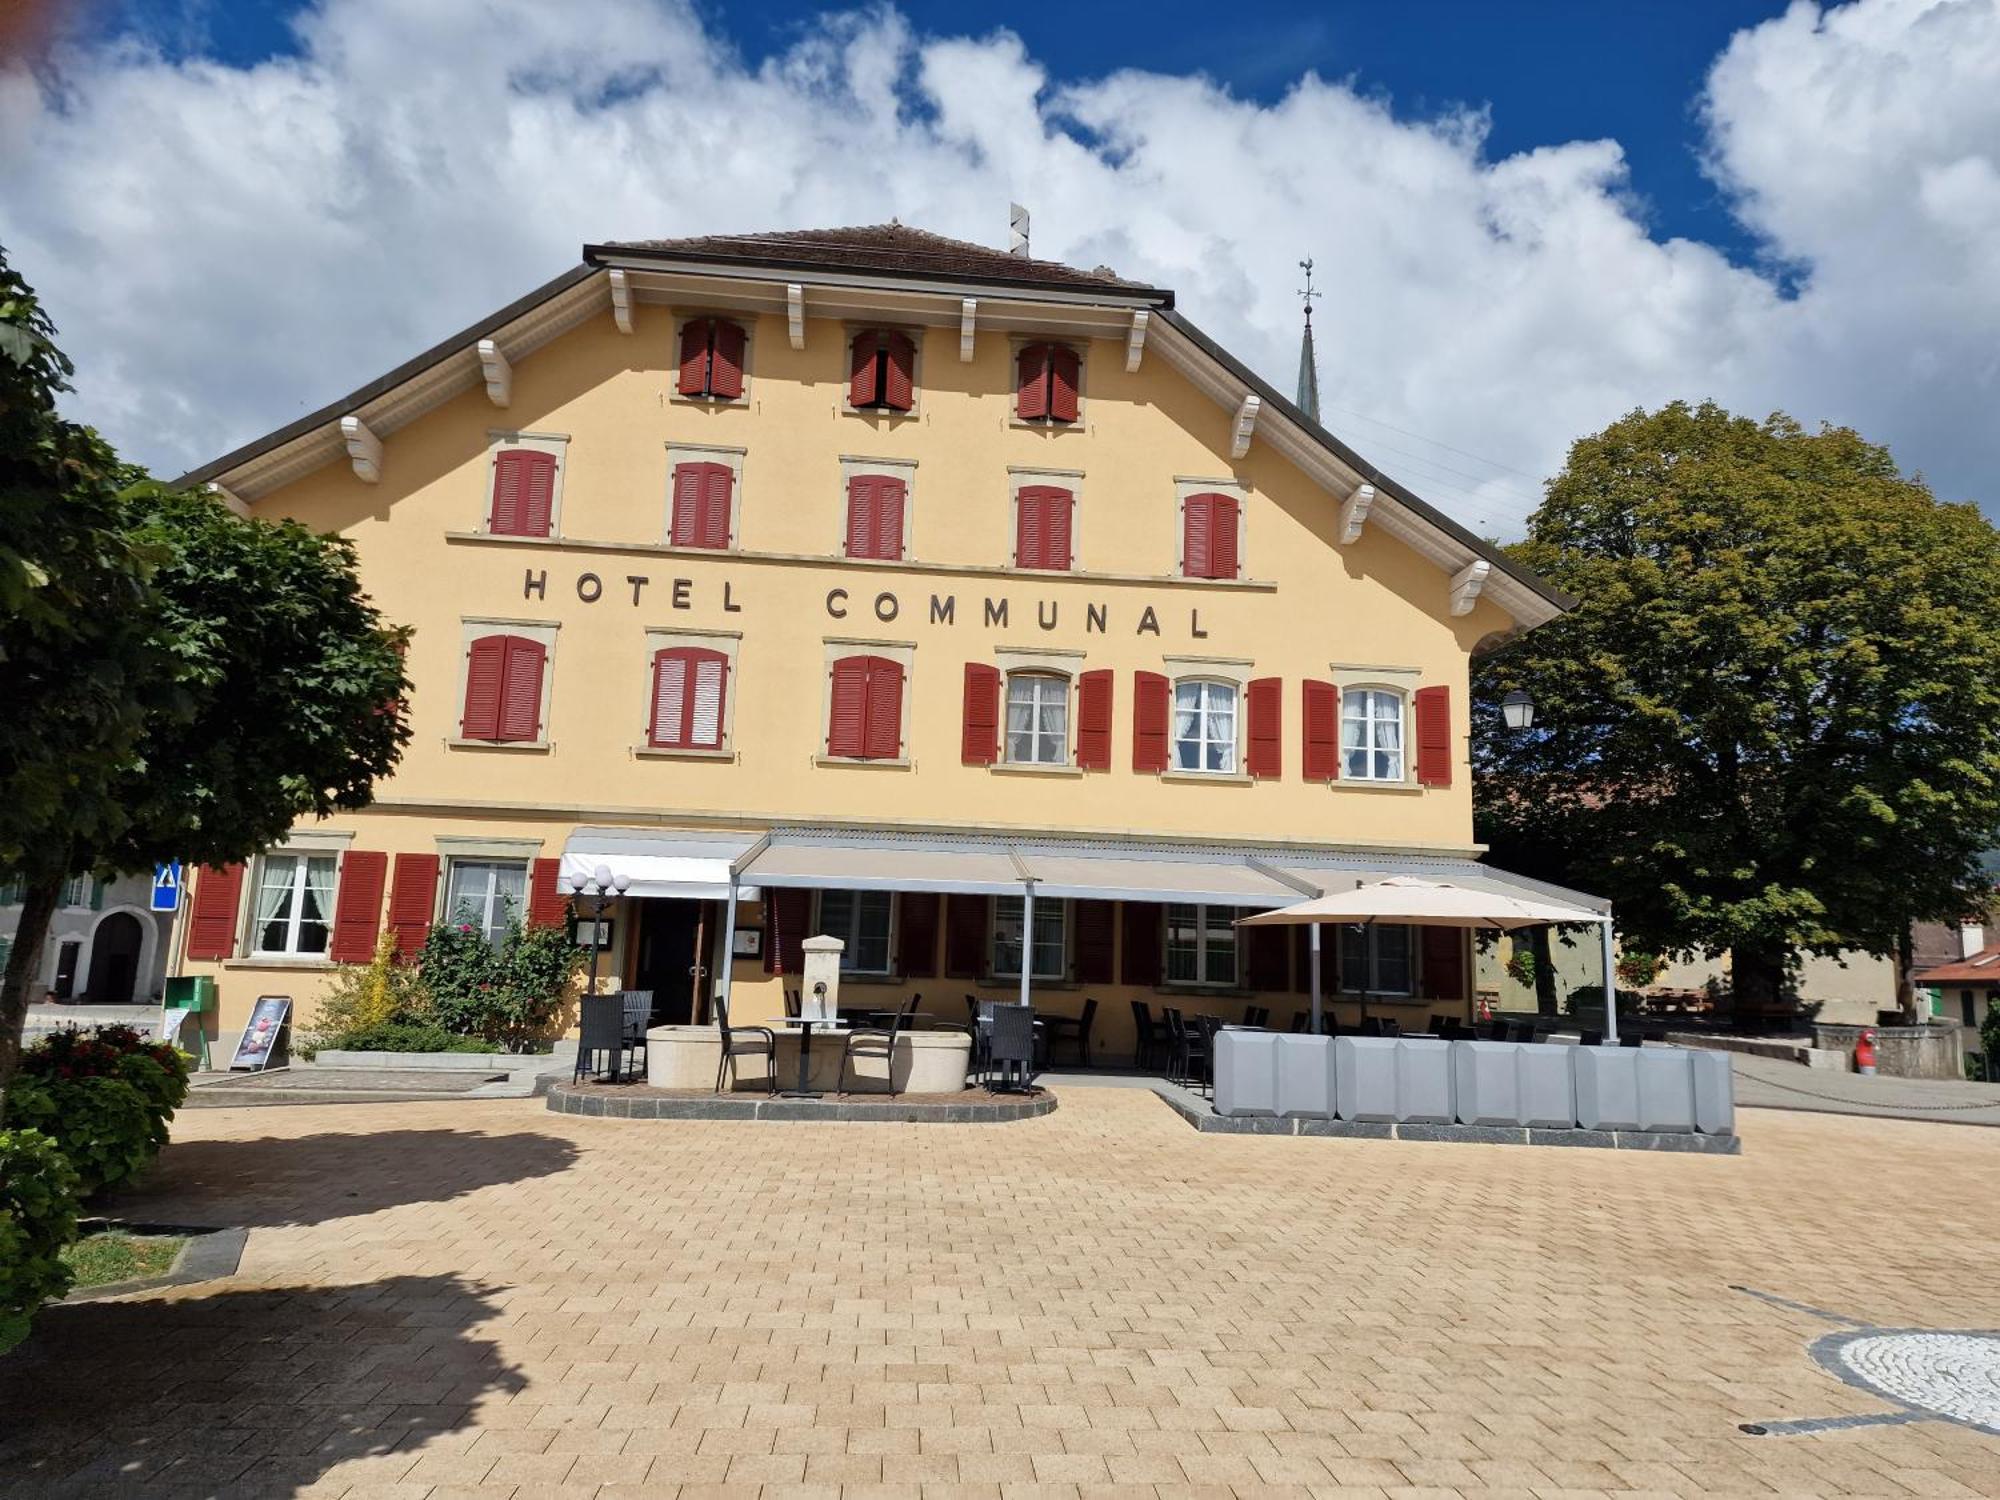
(489, 1299)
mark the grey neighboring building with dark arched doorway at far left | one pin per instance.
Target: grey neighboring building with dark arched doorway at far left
(103, 943)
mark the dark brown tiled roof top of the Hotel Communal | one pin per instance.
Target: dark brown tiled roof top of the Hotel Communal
(883, 249)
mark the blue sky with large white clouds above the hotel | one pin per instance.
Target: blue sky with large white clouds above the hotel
(1527, 219)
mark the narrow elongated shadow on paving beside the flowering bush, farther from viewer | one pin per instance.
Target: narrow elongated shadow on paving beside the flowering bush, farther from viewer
(275, 1181)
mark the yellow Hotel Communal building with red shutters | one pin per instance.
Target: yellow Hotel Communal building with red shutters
(929, 597)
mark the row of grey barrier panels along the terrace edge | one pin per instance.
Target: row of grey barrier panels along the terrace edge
(1507, 1085)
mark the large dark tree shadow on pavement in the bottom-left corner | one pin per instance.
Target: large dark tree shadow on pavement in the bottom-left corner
(255, 1391)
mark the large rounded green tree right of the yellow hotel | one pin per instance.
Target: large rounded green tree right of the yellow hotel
(1773, 721)
